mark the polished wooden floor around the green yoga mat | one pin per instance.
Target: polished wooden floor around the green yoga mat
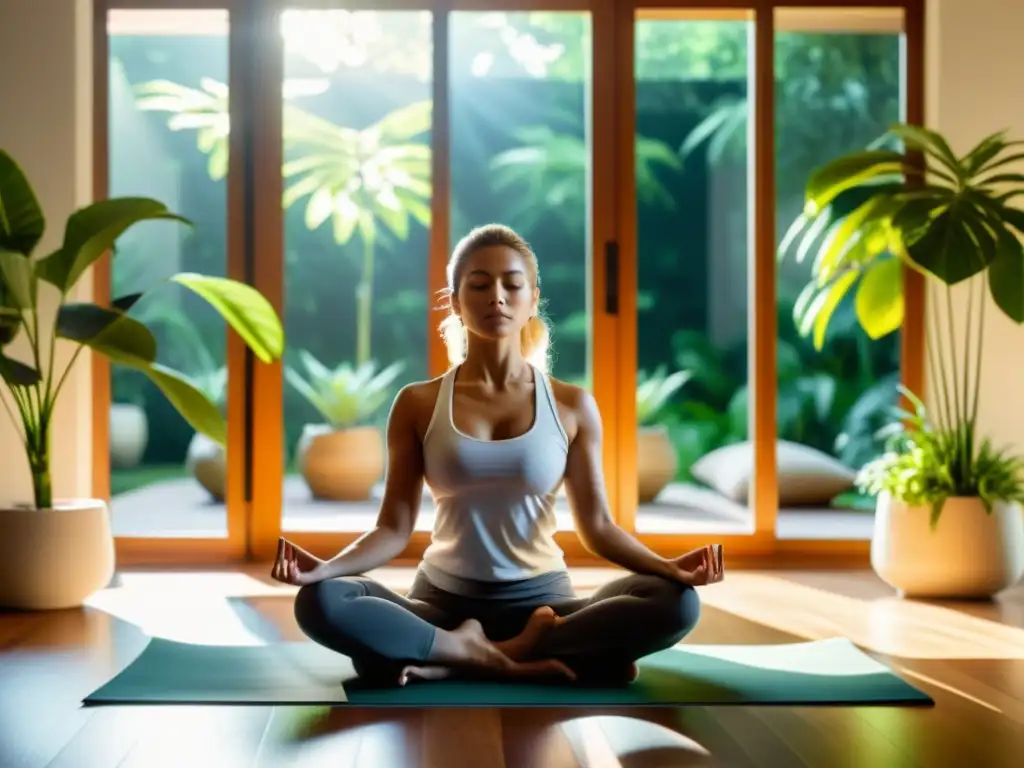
(969, 658)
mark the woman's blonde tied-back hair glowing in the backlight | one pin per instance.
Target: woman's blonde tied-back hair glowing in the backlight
(536, 336)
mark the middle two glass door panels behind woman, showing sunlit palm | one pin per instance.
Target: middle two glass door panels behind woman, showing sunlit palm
(401, 130)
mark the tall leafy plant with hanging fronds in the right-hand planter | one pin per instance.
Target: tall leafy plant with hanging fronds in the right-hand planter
(952, 219)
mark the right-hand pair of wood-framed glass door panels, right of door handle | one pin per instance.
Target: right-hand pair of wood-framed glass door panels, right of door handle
(751, 419)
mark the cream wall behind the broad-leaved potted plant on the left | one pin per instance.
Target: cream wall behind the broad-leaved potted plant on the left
(46, 124)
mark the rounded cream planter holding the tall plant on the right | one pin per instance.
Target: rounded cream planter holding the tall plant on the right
(970, 554)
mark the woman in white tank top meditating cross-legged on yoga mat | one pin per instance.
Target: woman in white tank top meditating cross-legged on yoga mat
(494, 440)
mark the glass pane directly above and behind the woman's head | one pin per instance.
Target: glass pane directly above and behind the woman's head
(522, 157)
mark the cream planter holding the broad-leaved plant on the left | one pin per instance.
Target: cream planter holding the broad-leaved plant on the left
(55, 559)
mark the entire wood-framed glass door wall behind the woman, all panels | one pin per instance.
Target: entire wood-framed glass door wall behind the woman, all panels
(652, 153)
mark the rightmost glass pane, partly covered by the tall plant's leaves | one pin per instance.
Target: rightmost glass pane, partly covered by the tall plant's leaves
(838, 89)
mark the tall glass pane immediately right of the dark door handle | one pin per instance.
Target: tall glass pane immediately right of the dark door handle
(693, 178)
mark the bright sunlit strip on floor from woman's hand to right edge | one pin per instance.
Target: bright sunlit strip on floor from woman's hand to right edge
(901, 628)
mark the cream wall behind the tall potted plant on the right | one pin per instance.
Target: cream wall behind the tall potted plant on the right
(975, 54)
